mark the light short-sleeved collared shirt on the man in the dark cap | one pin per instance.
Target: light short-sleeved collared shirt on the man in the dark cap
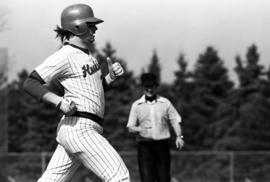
(155, 116)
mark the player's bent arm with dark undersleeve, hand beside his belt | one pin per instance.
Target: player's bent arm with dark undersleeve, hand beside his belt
(34, 86)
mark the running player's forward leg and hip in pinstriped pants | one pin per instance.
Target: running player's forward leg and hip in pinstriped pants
(84, 140)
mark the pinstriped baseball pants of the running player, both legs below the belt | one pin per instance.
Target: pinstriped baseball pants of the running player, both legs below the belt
(80, 142)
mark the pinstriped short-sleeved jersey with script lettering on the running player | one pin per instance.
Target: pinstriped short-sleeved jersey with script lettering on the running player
(80, 75)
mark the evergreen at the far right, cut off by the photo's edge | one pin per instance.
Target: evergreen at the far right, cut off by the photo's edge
(250, 107)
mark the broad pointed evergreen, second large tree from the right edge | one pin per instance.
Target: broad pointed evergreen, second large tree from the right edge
(212, 87)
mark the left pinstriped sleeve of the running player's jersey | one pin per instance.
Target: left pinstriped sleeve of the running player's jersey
(55, 66)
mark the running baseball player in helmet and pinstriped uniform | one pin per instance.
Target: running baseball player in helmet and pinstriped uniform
(79, 130)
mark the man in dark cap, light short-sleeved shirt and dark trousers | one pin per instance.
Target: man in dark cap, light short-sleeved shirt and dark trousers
(149, 119)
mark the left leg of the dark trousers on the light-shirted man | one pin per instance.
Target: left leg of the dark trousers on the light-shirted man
(146, 162)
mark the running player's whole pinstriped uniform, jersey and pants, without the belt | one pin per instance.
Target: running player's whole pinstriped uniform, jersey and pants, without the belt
(79, 139)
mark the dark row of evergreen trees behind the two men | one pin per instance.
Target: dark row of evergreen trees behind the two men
(216, 113)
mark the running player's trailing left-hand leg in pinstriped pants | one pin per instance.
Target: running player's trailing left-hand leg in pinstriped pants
(61, 167)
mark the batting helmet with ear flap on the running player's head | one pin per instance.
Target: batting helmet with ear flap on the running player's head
(75, 17)
